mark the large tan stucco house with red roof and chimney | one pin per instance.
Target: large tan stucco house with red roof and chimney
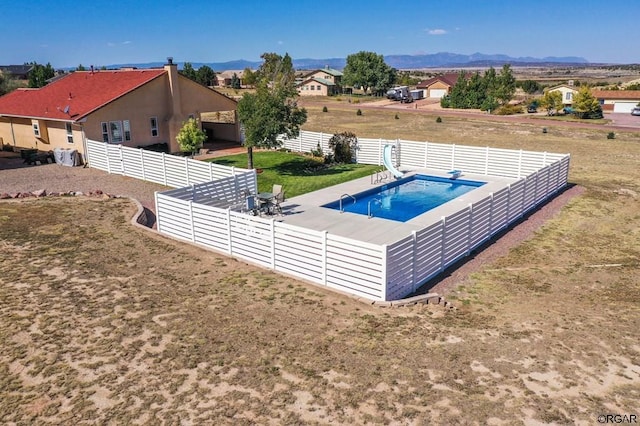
(133, 108)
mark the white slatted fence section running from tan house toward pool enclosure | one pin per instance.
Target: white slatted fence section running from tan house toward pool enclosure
(157, 167)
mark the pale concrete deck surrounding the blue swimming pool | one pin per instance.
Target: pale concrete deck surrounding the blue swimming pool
(306, 211)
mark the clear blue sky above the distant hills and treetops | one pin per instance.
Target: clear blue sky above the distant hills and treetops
(67, 33)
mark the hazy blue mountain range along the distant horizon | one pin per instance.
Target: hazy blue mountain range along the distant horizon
(435, 60)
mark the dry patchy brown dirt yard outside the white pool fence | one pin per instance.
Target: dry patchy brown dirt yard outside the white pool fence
(102, 322)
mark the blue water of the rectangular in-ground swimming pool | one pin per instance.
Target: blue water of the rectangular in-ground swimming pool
(406, 198)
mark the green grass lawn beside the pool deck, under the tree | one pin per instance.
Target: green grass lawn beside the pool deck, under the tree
(298, 174)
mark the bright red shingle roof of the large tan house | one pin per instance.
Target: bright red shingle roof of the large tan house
(79, 93)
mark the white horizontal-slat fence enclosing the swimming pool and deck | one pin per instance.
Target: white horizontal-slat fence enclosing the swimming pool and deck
(375, 272)
